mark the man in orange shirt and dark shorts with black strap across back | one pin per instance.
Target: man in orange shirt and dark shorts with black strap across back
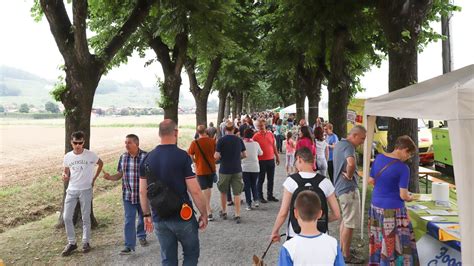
(202, 151)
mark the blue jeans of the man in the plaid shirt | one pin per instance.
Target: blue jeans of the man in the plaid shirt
(129, 231)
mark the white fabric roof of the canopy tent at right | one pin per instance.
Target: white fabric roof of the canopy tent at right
(446, 97)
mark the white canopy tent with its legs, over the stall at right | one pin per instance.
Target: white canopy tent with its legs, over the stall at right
(448, 97)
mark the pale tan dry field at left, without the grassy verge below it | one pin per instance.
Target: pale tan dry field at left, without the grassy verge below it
(34, 148)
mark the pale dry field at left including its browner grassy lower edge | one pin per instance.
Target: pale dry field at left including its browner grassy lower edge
(31, 153)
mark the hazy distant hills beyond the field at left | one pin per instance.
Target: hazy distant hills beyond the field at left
(18, 86)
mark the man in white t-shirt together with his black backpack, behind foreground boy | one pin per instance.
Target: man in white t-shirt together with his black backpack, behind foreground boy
(305, 179)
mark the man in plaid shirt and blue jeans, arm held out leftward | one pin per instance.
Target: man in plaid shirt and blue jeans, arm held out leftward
(129, 170)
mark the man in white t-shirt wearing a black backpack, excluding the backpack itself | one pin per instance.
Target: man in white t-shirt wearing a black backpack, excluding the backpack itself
(304, 162)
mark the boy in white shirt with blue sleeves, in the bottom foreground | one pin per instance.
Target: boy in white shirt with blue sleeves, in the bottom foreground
(310, 246)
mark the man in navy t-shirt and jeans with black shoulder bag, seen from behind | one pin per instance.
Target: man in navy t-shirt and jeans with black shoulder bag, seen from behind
(166, 181)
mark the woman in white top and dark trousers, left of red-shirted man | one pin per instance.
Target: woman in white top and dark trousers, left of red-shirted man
(251, 168)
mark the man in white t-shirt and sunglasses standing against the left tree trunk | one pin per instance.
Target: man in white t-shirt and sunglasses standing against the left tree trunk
(79, 166)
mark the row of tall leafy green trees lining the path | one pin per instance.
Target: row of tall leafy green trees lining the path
(256, 54)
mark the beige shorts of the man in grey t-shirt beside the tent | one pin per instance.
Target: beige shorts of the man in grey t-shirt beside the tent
(350, 207)
